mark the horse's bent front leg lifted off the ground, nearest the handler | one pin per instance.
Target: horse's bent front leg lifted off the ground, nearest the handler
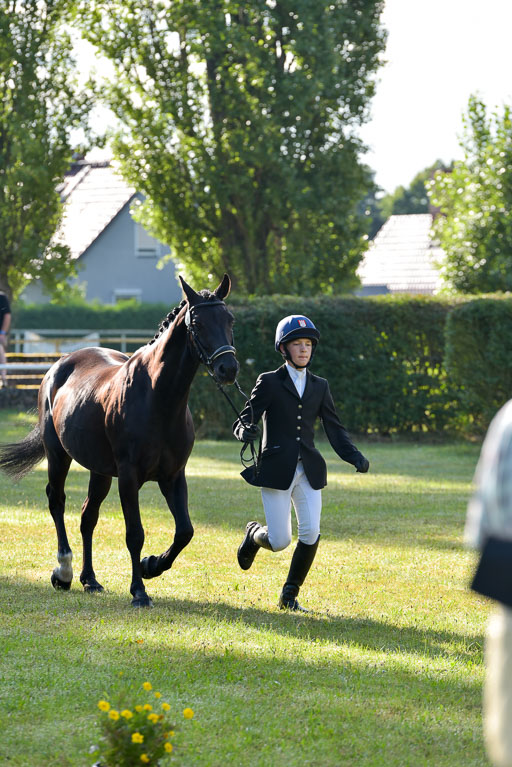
(176, 495)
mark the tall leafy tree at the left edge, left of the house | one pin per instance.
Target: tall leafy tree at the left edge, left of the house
(39, 107)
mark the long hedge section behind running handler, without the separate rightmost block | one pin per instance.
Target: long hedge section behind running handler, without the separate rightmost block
(383, 357)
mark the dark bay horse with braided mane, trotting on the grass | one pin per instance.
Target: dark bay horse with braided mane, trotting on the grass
(127, 418)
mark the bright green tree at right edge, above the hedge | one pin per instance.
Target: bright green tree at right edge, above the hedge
(475, 199)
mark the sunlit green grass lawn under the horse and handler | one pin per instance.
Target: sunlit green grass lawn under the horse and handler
(386, 670)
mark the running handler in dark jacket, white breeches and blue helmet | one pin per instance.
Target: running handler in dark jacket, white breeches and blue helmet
(291, 470)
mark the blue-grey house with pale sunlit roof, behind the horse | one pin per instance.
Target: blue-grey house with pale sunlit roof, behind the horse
(116, 258)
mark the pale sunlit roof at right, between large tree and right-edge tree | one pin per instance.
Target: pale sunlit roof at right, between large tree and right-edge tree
(402, 258)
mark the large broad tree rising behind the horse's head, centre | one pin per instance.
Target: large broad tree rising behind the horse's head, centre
(239, 128)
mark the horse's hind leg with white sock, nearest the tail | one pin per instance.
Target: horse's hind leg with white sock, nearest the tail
(58, 467)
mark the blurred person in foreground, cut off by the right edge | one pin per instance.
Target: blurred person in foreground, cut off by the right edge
(489, 529)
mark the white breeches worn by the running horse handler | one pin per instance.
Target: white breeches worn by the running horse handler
(277, 506)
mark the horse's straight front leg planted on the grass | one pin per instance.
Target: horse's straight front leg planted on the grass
(129, 495)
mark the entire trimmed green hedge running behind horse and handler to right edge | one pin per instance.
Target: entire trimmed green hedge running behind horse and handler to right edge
(394, 363)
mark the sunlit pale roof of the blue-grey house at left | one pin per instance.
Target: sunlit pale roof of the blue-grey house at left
(93, 195)
